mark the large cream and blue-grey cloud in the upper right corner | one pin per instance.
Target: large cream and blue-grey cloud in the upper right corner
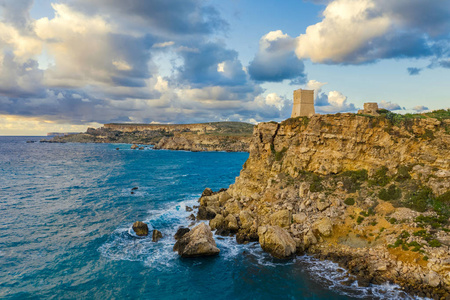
(379, 29)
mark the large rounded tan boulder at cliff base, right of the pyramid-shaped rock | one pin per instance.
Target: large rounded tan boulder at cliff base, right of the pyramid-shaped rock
(276, 241)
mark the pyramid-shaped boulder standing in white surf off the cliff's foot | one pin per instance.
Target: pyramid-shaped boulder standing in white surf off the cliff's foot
(198, 242)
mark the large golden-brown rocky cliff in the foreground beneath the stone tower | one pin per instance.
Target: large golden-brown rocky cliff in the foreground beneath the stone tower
(371, 193)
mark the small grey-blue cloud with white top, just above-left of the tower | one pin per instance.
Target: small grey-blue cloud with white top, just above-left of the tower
(276, 60)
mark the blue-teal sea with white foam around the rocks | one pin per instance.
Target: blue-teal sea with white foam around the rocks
(65, 217)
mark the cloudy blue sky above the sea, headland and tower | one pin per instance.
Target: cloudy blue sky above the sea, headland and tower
(71, 64)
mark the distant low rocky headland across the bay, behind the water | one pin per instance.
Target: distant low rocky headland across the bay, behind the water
(215, 136)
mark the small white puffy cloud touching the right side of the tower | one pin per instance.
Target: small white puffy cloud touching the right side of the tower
(332, 102)
